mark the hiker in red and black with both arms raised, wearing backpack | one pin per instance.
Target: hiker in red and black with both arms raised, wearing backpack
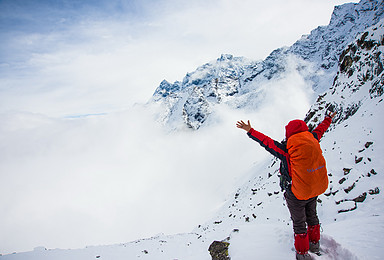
(303, 177)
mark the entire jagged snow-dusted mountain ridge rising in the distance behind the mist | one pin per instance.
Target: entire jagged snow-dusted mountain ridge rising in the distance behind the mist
(236, 81)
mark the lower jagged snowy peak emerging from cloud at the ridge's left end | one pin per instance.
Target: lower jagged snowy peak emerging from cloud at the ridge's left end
(192, 100)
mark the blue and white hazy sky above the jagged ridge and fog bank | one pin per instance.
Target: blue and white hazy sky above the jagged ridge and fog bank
(63, 58)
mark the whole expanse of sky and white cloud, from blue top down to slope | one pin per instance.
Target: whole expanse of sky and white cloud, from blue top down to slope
(82, 162)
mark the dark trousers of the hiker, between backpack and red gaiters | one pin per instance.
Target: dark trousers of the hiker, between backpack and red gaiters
(303, 212)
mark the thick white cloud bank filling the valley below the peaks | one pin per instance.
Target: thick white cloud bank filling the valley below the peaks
(113, 178)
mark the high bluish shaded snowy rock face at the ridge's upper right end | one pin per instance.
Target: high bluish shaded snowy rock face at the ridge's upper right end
(325, 44)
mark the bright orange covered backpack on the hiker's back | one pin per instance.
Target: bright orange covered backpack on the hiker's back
(308, 166)
